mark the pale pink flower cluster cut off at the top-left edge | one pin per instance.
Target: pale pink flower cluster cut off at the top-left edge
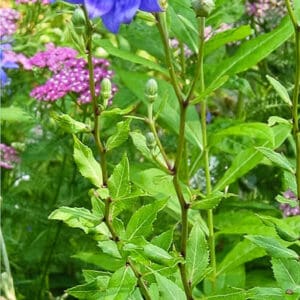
(8, 20)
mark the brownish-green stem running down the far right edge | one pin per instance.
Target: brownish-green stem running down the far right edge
(295, 100)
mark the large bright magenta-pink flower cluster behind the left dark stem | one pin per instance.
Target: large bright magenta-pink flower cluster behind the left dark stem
(70, 74)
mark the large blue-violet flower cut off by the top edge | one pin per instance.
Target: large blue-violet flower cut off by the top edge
(115, 12)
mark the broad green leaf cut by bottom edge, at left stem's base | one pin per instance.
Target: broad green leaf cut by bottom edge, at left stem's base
(121, 284)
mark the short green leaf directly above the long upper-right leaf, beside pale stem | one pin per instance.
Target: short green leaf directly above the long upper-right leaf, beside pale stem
(225, 37)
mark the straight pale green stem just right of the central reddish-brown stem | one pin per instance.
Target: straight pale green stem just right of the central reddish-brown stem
(203, 107)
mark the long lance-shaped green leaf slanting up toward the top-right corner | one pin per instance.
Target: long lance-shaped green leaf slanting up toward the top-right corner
(253, 51)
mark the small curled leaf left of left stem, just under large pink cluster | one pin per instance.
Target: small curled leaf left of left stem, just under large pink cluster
(68, 124)
